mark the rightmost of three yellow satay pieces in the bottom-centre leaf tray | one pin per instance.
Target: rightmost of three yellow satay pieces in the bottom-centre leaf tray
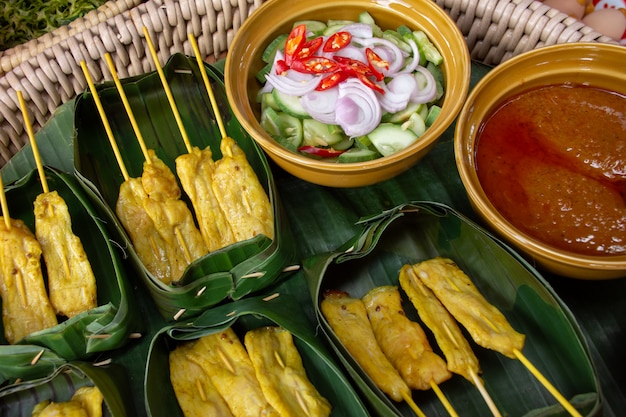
(281, 374)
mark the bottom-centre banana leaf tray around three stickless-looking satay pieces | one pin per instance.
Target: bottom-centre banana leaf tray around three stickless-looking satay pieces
(244, 315)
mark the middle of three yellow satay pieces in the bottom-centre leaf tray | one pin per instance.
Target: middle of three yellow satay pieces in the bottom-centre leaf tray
(223, 357)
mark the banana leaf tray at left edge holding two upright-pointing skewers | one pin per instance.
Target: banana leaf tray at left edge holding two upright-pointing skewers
(105, 327)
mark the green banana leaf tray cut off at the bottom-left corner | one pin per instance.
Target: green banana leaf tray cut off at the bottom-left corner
(19, 399)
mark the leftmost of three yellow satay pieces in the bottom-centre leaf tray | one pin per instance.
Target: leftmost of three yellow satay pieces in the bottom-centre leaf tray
(195, 393)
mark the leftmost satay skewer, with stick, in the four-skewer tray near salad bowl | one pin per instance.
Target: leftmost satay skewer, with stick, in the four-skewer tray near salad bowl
(151, 245)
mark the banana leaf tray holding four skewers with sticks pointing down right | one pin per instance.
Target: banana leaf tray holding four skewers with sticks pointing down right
(417, 231)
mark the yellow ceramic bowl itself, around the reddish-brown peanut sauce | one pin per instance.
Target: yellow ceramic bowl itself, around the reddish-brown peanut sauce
(599, 65)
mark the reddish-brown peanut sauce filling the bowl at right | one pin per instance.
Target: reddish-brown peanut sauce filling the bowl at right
(552, 160)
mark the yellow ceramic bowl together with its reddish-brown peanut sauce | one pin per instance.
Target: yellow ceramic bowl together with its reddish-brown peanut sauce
(540, 146)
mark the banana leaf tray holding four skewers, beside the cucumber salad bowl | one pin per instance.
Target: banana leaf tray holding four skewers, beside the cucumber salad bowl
(220, 275)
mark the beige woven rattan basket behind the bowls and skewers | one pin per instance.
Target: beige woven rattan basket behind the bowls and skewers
(47, 69)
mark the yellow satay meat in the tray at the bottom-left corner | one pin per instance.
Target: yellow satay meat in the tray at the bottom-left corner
(86, 402)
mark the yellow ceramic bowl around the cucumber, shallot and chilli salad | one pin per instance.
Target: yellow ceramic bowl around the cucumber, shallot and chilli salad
(277, 16)
